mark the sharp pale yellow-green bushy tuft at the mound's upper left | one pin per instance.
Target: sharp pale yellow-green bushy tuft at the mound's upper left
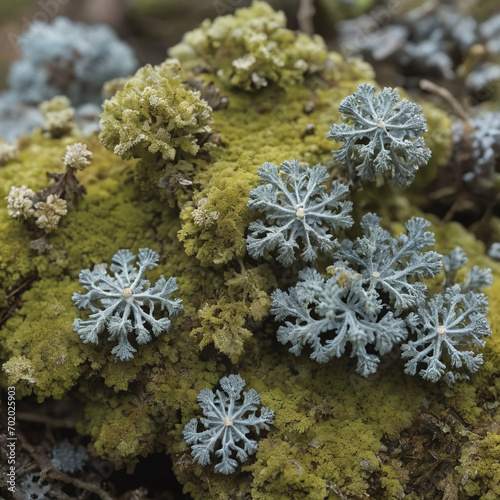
(155, 115)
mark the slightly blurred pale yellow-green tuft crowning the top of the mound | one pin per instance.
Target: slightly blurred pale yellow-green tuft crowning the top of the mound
(252, 49)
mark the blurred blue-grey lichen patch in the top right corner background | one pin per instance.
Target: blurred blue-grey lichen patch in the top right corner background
(437, 43)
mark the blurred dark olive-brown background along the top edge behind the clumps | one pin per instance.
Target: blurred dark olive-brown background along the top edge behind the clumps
(151, 26)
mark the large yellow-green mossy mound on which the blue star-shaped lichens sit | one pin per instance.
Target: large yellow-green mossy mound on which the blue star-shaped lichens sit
(336, 435)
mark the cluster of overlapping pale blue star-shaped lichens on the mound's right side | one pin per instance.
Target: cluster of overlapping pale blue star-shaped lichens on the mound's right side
(375, 299)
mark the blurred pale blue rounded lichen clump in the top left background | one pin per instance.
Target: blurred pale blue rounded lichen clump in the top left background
(68, 58)
